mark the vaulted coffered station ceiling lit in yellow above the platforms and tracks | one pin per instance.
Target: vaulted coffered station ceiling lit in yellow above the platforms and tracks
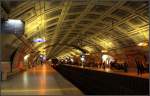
(91, 25)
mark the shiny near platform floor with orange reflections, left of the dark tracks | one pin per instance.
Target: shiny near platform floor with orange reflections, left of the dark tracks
(41, 80)
